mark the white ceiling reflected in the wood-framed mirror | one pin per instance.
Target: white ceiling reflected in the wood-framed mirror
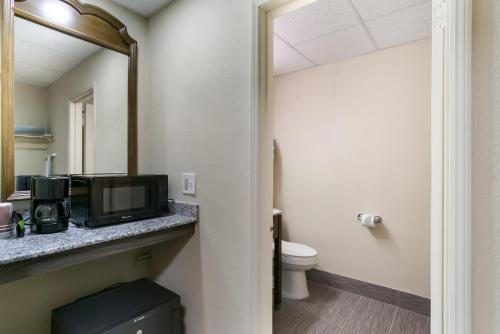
(43, 55)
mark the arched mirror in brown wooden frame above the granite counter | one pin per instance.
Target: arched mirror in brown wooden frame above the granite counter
(47, 47)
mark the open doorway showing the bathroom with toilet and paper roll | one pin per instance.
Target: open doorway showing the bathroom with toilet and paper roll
(308, 60)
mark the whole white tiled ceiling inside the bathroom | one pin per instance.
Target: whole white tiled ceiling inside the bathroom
(330, 30)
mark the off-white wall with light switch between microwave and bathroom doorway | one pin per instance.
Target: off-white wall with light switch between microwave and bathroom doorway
(200, 122)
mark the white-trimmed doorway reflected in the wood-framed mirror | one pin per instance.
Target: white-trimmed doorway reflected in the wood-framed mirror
(81, 134)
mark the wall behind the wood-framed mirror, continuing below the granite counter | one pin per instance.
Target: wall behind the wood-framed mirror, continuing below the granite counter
(26, 304)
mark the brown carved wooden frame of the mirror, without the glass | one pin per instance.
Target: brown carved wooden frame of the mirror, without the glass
(83, 21)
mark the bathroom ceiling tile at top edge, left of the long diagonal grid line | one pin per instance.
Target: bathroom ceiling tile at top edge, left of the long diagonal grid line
(314, 20)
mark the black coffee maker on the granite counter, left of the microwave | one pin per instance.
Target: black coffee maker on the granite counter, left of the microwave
(50, 210)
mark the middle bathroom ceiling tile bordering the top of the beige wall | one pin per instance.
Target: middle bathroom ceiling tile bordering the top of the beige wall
(350, 42)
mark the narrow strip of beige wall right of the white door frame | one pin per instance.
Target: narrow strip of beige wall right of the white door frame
(485, 158)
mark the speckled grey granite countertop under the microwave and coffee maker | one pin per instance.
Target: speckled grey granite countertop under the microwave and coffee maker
(33, 246)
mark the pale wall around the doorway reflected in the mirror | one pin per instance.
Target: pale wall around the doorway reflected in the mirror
(106, 72)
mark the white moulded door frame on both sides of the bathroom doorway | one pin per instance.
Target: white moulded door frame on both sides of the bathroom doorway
(451, 175)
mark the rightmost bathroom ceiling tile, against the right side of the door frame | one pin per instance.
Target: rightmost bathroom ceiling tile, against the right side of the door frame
(402, 27)
